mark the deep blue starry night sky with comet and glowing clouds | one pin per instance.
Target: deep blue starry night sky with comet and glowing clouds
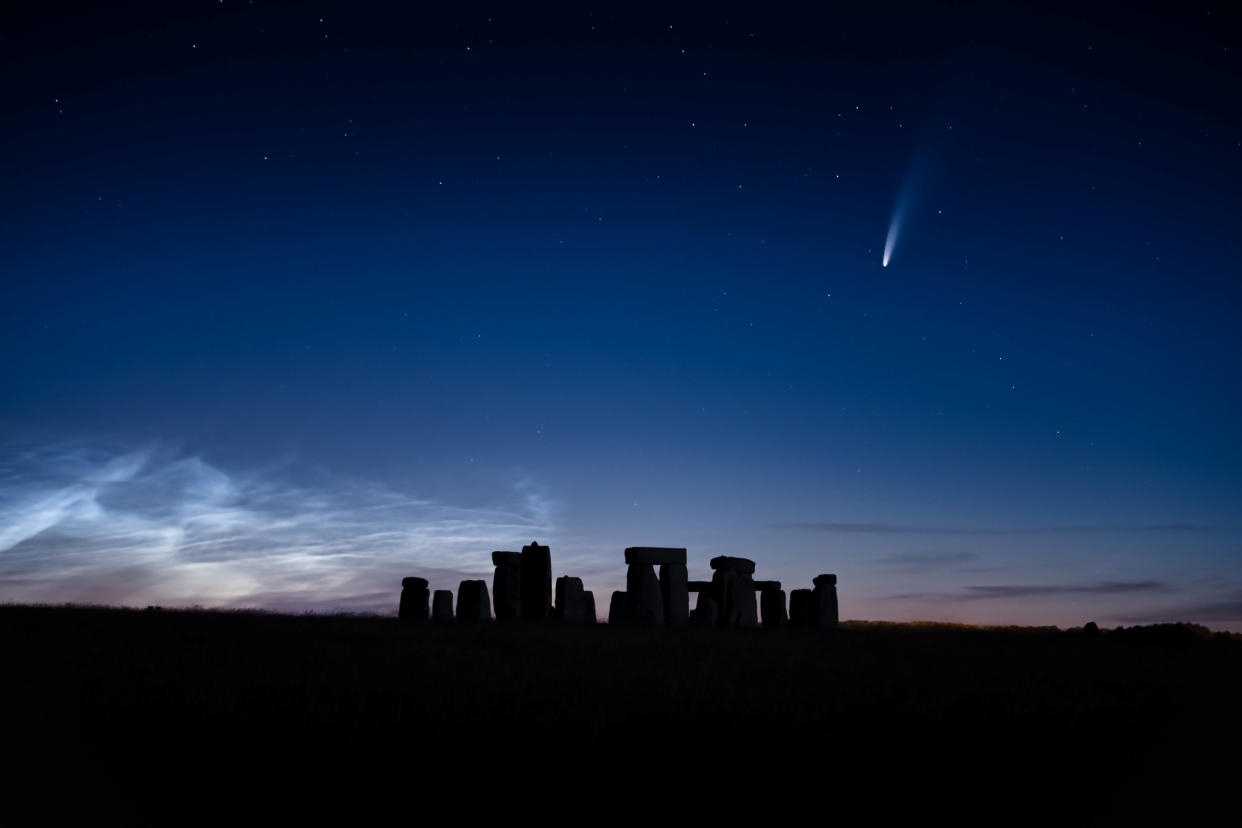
(302, 299)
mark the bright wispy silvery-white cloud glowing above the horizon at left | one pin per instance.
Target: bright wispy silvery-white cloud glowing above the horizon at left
(156, 527)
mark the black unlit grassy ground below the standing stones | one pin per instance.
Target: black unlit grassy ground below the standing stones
(511, 723)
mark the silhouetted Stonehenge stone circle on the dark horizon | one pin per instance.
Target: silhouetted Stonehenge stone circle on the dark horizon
(524, 590)
